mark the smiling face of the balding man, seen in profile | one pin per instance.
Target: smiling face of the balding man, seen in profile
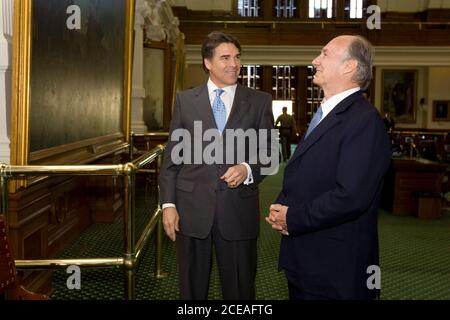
(329, 64)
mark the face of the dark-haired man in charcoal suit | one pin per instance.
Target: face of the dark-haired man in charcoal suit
(224, 65)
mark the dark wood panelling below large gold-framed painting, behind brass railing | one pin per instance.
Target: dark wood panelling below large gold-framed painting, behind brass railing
(43, 219)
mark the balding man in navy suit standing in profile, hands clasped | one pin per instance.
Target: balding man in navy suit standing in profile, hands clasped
(327, 209)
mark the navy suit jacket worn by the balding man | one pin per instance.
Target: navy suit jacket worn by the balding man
(332, 185)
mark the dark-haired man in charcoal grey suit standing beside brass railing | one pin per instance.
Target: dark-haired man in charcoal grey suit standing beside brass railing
(211, 198)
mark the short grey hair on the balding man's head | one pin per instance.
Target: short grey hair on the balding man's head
(362, 51)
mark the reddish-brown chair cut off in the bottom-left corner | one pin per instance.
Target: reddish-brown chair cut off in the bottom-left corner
(8, 275)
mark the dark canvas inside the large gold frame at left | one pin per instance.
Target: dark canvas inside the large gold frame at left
(76, 75)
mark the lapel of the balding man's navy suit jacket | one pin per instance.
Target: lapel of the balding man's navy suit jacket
(331, 120)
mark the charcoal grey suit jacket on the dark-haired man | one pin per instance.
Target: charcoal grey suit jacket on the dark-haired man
(196, 189)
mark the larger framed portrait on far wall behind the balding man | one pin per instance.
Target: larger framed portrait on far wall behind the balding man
(399, 94)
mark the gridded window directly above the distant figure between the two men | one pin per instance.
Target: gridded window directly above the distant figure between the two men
(283, 82)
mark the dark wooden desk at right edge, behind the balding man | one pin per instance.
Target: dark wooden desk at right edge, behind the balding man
(407, 177)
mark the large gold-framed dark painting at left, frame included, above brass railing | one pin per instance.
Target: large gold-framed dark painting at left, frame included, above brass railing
(71, 92)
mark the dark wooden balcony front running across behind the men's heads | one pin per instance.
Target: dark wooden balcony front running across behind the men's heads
(259, 33)
